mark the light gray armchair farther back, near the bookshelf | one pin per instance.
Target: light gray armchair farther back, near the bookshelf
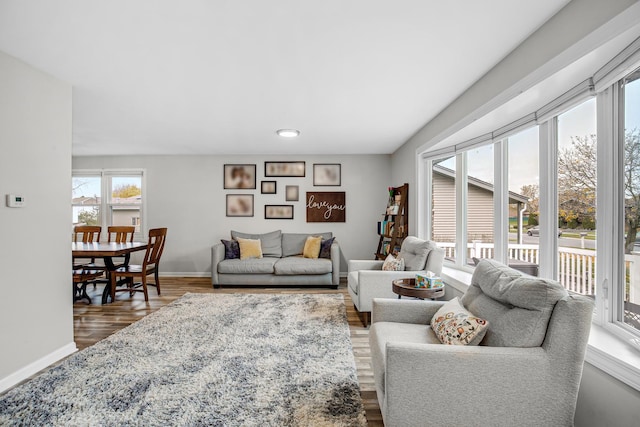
(366, 280)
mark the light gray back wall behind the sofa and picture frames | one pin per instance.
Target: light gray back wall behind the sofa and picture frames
(185, 194)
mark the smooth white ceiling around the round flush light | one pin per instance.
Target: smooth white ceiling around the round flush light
(219, 77)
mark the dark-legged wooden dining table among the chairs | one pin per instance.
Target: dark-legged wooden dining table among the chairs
(106, 251)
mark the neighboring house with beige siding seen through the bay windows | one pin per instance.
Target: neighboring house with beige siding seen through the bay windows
(480, 208)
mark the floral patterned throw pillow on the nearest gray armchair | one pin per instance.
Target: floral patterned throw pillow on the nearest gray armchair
(454, 325)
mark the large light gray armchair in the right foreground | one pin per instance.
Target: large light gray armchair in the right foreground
(526, 370)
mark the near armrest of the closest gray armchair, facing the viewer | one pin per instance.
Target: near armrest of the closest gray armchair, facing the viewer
(439, 373)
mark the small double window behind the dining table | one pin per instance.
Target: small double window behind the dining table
(108, 198)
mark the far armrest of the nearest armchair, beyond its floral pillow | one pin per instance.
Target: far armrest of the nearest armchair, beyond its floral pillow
(404, 311)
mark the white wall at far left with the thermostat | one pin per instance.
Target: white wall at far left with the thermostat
(36, 310)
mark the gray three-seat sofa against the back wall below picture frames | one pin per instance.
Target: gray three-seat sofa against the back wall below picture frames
(282, 262)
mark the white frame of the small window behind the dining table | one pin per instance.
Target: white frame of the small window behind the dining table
(106, 204)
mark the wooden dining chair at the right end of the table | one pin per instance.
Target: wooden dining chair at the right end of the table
(150, 265)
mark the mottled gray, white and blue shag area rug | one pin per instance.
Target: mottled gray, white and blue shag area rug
(207, 359)
